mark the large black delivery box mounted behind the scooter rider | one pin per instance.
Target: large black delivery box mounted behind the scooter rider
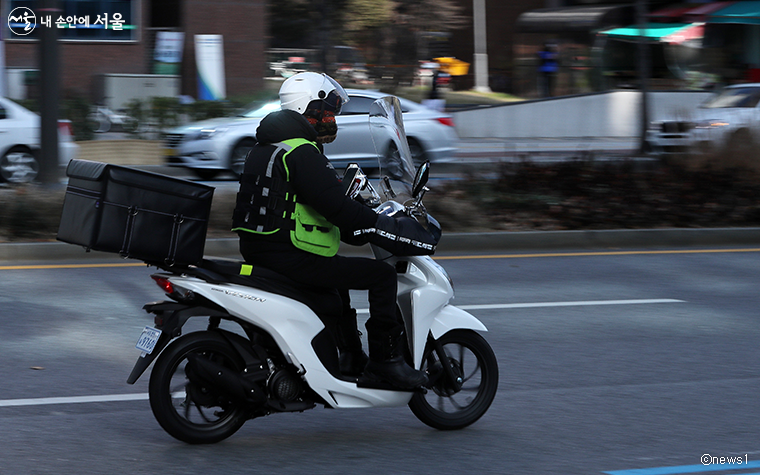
(138, 214)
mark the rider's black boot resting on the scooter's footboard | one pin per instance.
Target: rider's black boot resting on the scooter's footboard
(387, 364)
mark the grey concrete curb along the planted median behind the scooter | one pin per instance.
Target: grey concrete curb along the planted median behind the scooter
(454, 242)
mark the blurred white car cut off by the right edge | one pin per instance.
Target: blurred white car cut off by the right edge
(730, 119)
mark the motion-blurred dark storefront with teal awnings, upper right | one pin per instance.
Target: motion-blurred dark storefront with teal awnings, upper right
(690, 45)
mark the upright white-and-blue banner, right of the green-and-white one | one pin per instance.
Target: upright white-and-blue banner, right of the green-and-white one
(209, 58)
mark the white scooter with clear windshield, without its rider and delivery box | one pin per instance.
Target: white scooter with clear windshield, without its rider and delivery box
(281, 358)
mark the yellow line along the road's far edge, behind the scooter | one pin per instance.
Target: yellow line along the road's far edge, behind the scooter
(438, 258)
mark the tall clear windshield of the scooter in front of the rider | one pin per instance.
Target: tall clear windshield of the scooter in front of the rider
(386, 126)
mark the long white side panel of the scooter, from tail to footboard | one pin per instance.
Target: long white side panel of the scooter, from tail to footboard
(293, 326)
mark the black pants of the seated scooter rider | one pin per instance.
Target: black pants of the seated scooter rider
(337, 272)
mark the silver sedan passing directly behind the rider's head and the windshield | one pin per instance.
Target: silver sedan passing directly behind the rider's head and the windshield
(212, 146)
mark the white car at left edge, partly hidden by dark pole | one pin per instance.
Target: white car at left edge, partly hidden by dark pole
(20, 143)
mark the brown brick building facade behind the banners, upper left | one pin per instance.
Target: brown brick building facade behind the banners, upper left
(88, 51)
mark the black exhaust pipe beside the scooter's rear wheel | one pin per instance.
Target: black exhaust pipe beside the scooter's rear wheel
(204, 372)
